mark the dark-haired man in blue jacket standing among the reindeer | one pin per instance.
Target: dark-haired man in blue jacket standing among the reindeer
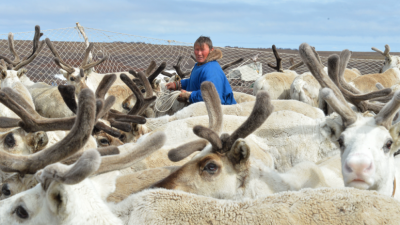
(206, 69)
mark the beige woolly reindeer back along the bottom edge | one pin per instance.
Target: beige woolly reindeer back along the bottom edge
(317, 206)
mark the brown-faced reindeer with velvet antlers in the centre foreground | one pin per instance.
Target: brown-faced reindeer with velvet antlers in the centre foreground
(225, 169)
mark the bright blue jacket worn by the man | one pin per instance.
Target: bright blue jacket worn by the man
(210, 71)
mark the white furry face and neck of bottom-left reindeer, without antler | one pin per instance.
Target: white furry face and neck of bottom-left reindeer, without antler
(62, 204)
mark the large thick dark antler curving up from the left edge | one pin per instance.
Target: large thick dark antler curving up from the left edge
(70, 144)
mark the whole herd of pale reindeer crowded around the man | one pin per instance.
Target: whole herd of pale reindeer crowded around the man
(311, 148)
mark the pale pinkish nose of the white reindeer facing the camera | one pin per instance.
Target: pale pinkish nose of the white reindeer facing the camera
(359, 164)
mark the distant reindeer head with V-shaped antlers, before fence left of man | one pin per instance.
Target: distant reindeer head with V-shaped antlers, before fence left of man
(74, 75)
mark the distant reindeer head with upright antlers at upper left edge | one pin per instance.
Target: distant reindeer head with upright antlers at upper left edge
(13, 69)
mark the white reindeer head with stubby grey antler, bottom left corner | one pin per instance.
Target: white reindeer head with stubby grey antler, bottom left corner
(61, 190)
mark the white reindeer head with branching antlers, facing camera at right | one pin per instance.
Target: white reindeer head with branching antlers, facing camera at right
(366, 142)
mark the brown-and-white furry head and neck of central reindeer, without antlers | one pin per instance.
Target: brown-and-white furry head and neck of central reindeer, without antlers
(241, 178)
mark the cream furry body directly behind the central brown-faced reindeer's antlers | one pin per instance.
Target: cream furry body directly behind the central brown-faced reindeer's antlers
(288, 136)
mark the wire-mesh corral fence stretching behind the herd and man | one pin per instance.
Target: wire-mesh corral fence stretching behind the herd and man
(127, 51)
